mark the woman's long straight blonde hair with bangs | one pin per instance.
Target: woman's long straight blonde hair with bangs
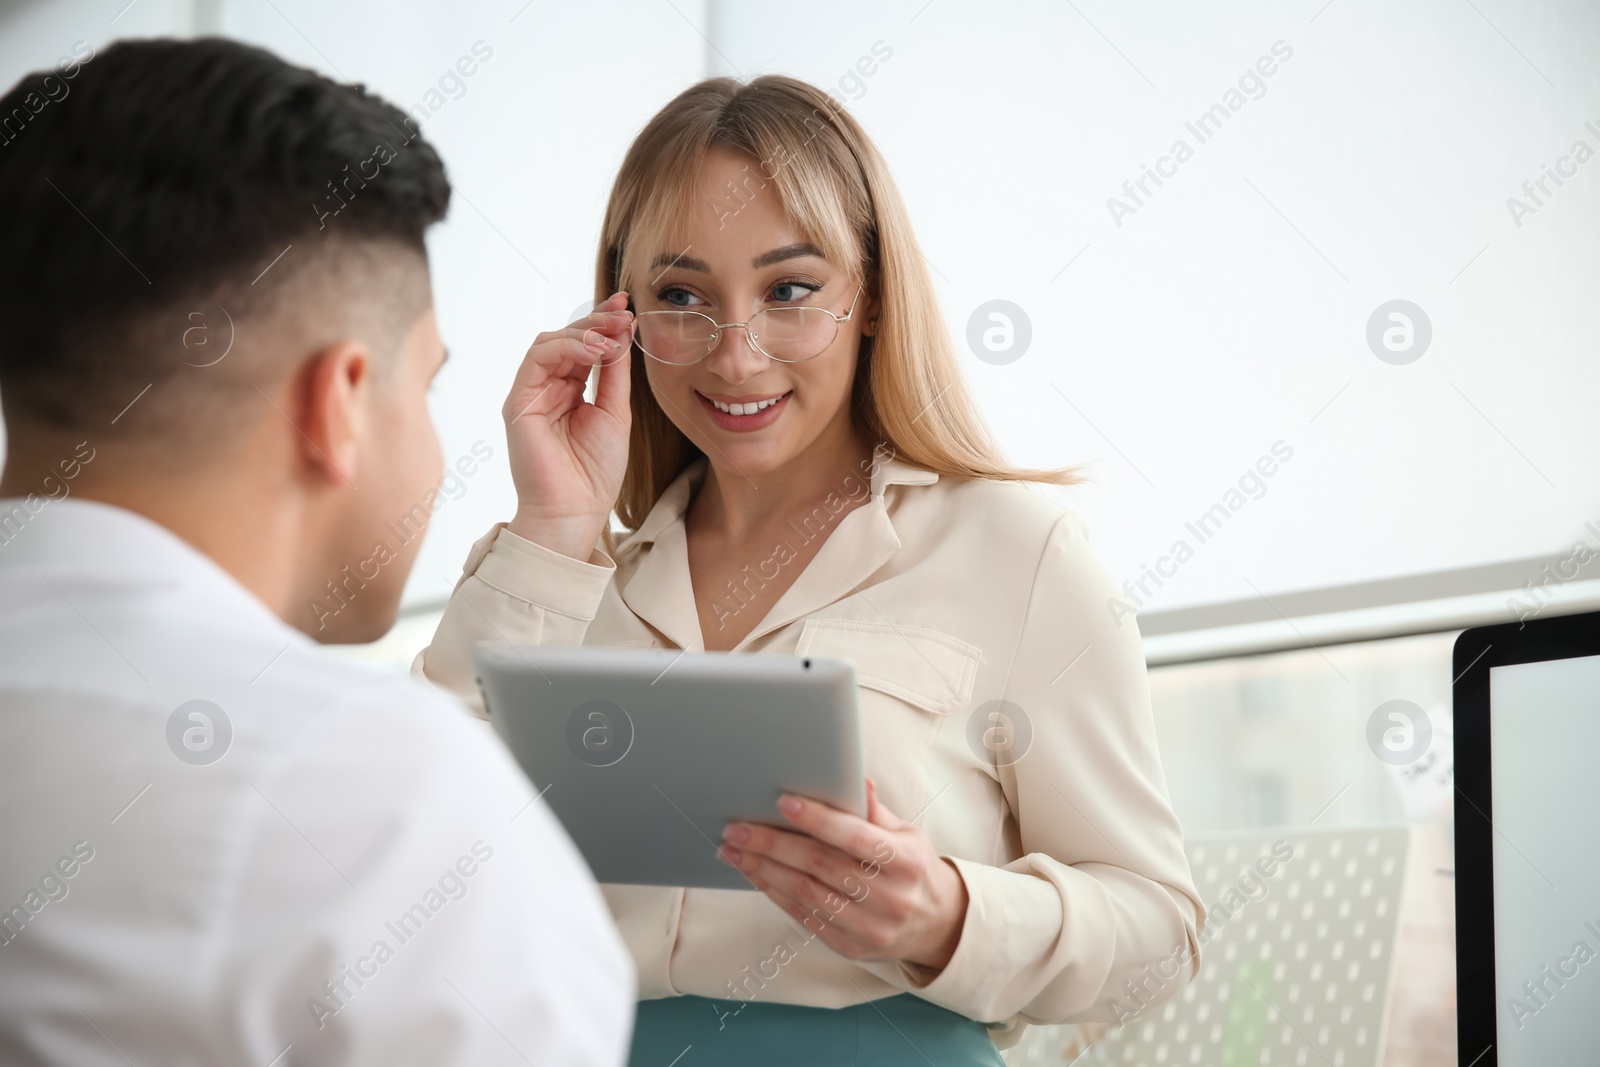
(836, 188)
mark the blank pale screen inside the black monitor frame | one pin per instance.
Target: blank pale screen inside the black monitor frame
(1545, 733)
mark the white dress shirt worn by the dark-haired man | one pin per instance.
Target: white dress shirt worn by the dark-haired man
(338, 868)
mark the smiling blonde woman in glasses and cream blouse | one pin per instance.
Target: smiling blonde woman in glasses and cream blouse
(783, 431)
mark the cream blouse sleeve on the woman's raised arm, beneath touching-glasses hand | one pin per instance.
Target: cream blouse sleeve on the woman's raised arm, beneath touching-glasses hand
(514, 591)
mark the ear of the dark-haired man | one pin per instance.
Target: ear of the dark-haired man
(332, 388)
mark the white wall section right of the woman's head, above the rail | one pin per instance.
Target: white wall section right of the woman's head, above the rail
(1230, 313)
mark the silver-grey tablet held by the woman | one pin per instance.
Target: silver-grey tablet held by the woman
(646, 756)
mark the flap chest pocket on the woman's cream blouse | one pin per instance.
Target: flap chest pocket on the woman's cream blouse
(924, 668)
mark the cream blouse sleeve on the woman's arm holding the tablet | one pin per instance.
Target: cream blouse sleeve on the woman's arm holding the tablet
(1098, 919)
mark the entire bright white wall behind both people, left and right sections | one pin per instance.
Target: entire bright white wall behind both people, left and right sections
(1170, 353)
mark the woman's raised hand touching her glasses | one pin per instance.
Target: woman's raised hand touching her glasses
(567, 457)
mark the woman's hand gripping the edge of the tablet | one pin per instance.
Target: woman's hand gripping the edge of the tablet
(873, 889)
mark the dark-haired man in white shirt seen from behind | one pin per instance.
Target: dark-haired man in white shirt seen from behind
(222, 845)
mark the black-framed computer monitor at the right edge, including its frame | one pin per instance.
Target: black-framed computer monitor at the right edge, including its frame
(1527, 719)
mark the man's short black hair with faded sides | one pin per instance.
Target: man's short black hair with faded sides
(164, 185)
